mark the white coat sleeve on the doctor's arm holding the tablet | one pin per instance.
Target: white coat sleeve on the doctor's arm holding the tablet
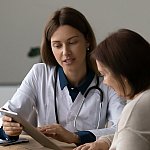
(24, 99)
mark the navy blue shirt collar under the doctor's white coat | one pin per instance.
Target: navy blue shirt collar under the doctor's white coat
(82, 86)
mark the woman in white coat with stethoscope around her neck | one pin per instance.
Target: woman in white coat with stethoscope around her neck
(59, 89)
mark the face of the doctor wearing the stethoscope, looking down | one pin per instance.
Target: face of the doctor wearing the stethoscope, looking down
(69, 48)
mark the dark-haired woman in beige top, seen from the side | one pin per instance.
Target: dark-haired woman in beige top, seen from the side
(123, 58)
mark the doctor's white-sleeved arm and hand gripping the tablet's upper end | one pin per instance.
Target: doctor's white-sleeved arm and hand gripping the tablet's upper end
(22, 101)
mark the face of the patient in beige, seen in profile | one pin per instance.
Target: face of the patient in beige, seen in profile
(111, 81)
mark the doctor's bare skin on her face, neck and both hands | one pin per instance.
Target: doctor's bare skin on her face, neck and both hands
(69, 48)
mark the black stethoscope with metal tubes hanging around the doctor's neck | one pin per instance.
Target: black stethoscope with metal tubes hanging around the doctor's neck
(85, 95)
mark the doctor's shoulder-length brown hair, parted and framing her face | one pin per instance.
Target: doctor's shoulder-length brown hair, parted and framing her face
(65, 16)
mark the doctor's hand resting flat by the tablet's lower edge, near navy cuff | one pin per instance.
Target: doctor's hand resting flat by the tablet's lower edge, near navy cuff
(58, 132)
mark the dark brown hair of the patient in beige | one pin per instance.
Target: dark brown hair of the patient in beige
(126, 54)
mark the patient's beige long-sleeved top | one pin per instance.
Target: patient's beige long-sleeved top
(133, 132)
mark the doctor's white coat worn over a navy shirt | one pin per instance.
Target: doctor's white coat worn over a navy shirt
(37, 93)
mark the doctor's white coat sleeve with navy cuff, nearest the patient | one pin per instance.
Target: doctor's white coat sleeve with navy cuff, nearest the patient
(114, 107)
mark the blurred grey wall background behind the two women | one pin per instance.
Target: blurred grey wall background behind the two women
(22, 23)
